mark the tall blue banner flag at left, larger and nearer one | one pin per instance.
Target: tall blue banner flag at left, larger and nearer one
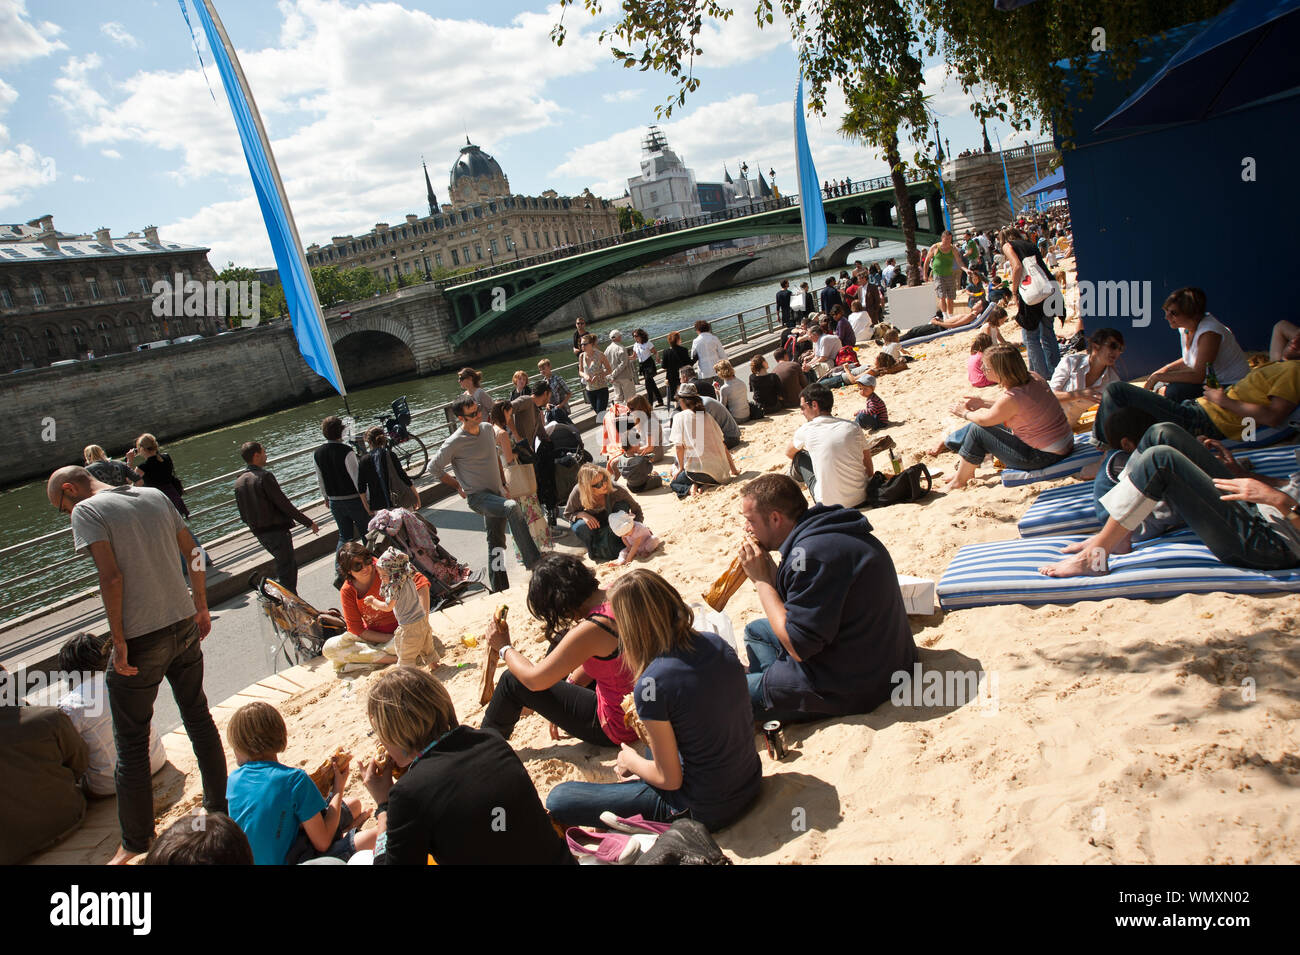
(314, 340)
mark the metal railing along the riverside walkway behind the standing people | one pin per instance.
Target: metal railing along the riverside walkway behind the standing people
(42, 571)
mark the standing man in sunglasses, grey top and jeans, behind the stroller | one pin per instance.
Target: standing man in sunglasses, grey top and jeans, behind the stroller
(471, 453)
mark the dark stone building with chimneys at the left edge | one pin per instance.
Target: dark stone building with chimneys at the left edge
(70, 297)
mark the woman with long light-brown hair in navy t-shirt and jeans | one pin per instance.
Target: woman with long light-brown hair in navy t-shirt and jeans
(694, 700)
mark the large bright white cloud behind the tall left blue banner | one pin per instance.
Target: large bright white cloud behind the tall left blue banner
(349, 138)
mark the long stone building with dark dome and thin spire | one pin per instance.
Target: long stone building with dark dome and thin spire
(483, 225)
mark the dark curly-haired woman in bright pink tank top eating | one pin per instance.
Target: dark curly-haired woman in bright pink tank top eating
(564, 592)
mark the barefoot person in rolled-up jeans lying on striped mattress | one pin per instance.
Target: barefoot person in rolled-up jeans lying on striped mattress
(1243, 520)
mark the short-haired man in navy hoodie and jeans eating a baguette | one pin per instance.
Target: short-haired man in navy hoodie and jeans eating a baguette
(837, 628)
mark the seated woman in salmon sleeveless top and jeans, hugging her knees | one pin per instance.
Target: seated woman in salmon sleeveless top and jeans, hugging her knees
(1025, 428)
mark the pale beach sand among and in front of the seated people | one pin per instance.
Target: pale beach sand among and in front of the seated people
(1119, 732)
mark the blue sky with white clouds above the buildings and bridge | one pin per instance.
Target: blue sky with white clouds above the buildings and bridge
(107, 119)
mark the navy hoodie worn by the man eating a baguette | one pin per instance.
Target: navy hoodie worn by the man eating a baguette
(844, 617)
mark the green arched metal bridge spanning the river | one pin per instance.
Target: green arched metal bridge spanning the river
(514, 297)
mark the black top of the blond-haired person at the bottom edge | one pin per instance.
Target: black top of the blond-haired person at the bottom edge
(469, 802)
